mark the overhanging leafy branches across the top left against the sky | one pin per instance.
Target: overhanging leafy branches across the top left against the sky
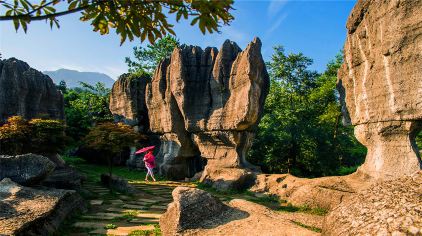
(130, 18)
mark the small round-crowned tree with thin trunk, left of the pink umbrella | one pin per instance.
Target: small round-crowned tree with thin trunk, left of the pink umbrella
(110, 139)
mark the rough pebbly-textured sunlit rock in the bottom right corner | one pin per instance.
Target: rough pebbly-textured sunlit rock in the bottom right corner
(390, 207)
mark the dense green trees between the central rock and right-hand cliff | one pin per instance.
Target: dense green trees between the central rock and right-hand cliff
(300, 132)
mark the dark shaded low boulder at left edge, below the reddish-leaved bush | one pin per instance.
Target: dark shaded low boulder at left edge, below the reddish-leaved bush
(25, 169)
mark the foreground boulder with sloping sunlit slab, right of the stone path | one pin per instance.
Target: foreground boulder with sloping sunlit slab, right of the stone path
(195, 212)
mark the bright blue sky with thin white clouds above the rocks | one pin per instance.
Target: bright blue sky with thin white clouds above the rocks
(315, 28)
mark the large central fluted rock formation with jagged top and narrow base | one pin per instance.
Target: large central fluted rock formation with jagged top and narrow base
(206, 104)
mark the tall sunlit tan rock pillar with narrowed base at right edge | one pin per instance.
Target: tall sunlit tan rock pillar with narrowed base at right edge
(380, 84)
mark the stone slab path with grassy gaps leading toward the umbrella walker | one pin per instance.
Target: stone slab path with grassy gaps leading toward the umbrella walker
(121, 214)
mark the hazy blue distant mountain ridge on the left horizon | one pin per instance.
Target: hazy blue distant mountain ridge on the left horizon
(72, 77)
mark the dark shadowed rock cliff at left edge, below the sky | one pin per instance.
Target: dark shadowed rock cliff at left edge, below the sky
(27, 92)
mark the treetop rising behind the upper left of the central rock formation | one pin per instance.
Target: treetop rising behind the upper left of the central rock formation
(147, 59)
